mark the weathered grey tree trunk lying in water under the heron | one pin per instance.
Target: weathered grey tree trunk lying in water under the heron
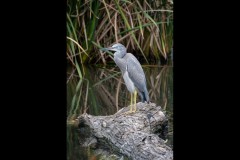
(132, 134)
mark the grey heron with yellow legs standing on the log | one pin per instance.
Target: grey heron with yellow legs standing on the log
(132, 72)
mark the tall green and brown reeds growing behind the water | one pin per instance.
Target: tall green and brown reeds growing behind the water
(144, 27)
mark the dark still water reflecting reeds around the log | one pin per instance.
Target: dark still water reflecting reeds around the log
(101, 91)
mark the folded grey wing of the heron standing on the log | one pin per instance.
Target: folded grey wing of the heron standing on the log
(135, 72)
